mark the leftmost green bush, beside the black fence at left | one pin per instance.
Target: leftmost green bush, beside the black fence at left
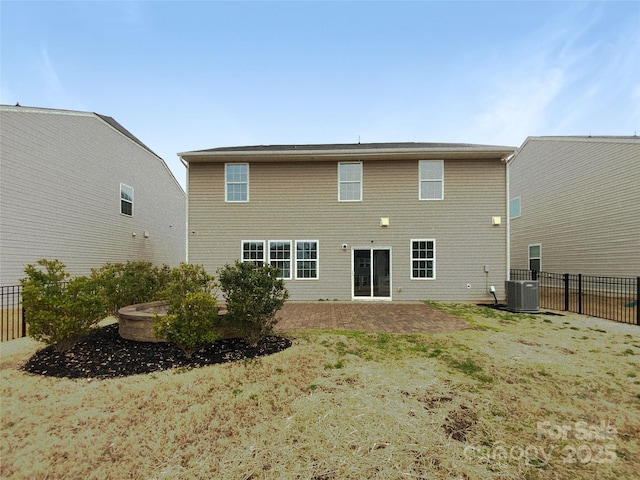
(59, 314)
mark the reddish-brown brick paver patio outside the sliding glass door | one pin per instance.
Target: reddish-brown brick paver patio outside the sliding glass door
(378, 317)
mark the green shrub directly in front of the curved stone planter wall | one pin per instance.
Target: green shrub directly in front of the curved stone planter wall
(191, 322)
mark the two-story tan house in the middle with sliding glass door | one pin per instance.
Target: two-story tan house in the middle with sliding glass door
(401, 221)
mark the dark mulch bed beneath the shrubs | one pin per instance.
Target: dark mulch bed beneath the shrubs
(104, 354)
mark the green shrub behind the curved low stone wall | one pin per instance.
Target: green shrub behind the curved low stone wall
(123, 284)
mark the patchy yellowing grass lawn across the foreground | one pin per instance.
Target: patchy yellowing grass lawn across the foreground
(515, 397)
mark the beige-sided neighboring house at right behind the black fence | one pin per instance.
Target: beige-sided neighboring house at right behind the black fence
(575, 205)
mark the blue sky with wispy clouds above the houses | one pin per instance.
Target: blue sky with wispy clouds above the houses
(190, 75)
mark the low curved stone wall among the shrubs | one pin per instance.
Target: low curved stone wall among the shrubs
(135, 322)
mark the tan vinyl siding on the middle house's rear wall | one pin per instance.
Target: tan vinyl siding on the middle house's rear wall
(299, 201)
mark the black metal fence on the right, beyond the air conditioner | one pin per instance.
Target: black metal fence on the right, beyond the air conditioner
(613, 298)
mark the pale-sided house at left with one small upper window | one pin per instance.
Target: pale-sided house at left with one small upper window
(78, 187)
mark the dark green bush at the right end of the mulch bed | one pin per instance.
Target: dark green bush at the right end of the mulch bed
(253, 294)
